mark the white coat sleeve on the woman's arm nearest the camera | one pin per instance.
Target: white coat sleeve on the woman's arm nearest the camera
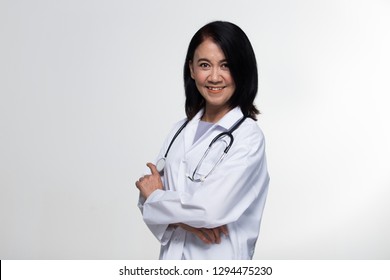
(224, 196)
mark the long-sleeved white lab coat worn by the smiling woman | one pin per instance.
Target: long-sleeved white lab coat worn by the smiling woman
(234, 194)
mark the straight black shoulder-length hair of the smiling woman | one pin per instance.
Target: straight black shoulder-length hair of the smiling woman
(242, 64)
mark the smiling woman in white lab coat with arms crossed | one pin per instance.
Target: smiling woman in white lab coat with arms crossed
(207, 203)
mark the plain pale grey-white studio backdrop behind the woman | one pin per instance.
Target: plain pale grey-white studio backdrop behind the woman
(89, 90)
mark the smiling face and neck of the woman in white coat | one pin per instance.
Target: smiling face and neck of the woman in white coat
(212, 76)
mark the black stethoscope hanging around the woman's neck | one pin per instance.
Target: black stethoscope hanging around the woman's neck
(161, 162)
